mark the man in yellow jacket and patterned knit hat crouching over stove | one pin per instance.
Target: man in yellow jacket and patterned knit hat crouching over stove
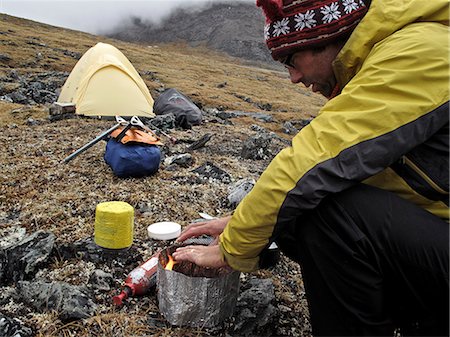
(360, 200)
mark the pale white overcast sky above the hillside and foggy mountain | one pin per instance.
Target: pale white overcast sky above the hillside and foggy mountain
(94, 16)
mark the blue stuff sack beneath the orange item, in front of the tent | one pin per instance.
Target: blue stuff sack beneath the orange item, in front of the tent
(132, 159)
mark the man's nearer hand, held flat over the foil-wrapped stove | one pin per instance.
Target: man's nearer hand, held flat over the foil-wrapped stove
(204, 256)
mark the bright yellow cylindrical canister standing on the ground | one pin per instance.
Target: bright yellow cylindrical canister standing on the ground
(114, 225)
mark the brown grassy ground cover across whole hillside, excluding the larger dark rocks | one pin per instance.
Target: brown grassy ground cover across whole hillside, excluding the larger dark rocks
(41, 193)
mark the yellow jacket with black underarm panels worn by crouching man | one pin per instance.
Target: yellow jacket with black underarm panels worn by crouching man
(387, 128)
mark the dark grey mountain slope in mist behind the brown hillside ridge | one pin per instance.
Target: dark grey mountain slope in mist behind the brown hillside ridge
(235, 28)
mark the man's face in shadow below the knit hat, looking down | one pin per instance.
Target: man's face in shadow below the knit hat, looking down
(314, 68)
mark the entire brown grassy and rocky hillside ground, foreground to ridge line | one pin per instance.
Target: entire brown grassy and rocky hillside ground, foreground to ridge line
(54, 280)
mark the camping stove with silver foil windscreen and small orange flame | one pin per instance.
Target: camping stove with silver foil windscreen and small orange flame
(190, 295)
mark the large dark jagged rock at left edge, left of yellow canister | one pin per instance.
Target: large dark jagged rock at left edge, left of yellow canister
(22, 260)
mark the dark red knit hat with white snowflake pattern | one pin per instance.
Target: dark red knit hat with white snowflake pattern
(293, 25)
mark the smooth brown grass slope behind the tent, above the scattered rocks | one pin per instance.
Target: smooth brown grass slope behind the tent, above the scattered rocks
(195, 72)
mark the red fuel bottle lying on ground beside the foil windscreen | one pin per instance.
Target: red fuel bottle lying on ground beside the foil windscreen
(139, 281)
